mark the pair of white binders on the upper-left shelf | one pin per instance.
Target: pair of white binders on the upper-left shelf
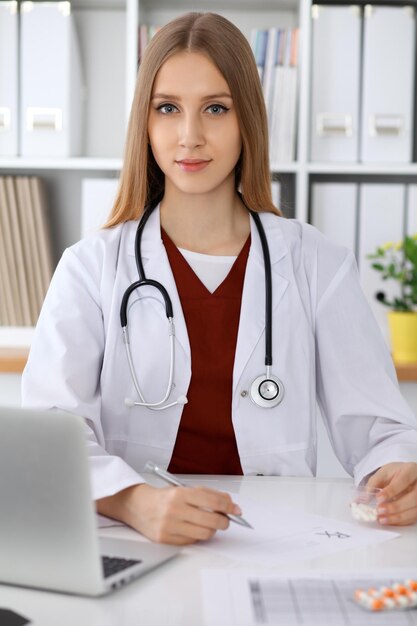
(40, 61)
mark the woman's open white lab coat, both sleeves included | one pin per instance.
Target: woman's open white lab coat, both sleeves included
(326, 347)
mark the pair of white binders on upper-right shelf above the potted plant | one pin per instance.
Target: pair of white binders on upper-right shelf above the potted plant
(363, 64)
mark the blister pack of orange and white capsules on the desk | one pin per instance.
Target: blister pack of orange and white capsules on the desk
(398, 596)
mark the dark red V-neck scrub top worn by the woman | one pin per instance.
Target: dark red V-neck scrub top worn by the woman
(206, 442)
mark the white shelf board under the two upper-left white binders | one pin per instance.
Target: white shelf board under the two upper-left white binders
(81, 163)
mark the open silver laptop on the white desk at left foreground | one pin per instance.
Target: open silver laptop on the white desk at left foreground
(48, 526)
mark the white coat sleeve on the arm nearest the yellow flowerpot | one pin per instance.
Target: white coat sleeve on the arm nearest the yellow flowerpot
(367, 419)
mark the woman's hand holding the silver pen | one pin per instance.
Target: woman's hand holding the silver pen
(174, 515)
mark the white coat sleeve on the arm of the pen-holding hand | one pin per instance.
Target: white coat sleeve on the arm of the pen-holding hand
(63, 369)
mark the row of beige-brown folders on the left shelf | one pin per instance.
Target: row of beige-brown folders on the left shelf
(25, 250)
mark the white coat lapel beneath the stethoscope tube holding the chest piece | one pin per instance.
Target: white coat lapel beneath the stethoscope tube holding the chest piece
(252, 313)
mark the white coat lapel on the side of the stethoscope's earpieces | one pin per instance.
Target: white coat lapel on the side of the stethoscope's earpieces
(157, 267)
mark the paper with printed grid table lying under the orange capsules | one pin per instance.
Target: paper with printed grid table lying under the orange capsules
(251, 598)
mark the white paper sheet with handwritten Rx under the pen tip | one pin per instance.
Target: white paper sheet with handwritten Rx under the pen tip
(281, 533)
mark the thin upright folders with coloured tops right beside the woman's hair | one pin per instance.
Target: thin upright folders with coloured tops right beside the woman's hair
(276, 55)
